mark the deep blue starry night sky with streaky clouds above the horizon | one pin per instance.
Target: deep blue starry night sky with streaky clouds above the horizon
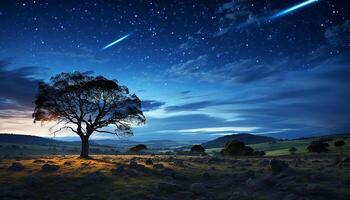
(203, 69)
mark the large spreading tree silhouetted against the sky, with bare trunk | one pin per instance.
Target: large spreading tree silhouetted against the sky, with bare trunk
(86, 104)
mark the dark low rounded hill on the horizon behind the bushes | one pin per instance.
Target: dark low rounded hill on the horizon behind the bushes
(243, 137)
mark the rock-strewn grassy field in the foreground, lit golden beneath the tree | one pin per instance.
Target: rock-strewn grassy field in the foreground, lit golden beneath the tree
(183, 177)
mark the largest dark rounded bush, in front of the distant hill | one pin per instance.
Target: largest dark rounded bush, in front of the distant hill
(237, 148)
